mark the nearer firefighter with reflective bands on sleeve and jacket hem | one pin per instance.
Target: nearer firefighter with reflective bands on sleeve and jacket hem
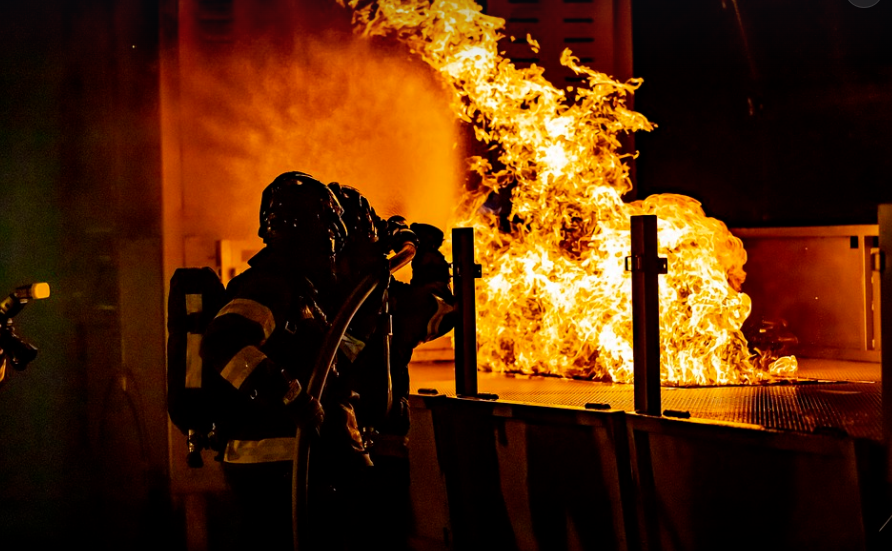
(258, 353)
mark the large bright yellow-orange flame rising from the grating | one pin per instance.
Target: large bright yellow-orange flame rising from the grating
(555, 298)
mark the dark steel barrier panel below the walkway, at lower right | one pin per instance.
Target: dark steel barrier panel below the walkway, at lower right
(713, 486)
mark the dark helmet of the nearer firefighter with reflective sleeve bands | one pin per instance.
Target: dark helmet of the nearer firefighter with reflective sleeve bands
(299, 208)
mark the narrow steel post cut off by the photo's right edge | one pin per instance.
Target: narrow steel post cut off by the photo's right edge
(882, 263)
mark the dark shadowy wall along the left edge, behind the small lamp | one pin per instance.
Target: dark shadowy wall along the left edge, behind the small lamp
(83, 430)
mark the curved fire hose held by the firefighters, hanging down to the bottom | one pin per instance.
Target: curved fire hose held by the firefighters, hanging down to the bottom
(300, 469)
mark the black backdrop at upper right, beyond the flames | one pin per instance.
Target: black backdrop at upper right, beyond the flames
(779, 117)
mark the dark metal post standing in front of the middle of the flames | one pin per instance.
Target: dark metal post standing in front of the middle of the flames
(645, 266)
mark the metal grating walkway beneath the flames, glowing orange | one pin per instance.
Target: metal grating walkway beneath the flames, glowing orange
(830, 395)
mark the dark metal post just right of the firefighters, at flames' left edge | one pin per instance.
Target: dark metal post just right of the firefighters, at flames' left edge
(465, 271)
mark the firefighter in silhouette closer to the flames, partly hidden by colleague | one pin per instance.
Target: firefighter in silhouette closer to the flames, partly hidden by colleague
(378, 347)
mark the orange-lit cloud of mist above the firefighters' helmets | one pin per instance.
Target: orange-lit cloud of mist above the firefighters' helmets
(359, 112)
